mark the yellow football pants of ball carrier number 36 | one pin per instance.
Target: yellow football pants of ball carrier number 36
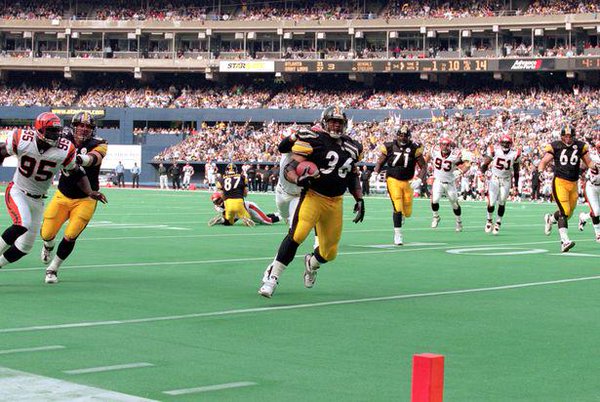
(324, 213)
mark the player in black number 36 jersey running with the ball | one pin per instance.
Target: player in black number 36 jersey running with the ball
(321, 202)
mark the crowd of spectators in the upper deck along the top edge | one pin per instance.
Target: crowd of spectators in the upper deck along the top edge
(190, 10)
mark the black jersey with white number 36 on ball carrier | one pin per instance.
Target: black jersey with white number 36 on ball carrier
(336, 158)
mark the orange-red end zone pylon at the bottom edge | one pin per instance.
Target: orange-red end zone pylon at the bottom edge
(428, 378)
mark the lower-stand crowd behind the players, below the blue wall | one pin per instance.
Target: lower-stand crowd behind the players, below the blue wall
(470, 133)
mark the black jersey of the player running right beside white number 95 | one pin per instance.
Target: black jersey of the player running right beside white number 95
(67, 184)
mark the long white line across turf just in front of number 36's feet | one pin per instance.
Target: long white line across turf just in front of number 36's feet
(292, 306)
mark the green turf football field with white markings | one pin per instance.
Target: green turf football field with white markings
(151, 286)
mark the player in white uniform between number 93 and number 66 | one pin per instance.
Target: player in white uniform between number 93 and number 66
(505, 165)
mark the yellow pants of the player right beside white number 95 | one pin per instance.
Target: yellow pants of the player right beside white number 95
(78, 211)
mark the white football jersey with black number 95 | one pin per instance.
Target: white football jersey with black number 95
(36, 169)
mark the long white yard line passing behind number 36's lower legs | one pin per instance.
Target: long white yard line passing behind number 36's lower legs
(396, 249)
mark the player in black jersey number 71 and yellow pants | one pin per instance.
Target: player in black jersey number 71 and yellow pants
(401, 156)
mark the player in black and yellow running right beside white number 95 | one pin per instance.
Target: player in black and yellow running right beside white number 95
(70, 202)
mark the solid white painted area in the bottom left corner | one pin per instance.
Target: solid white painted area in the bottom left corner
(21, 386)
